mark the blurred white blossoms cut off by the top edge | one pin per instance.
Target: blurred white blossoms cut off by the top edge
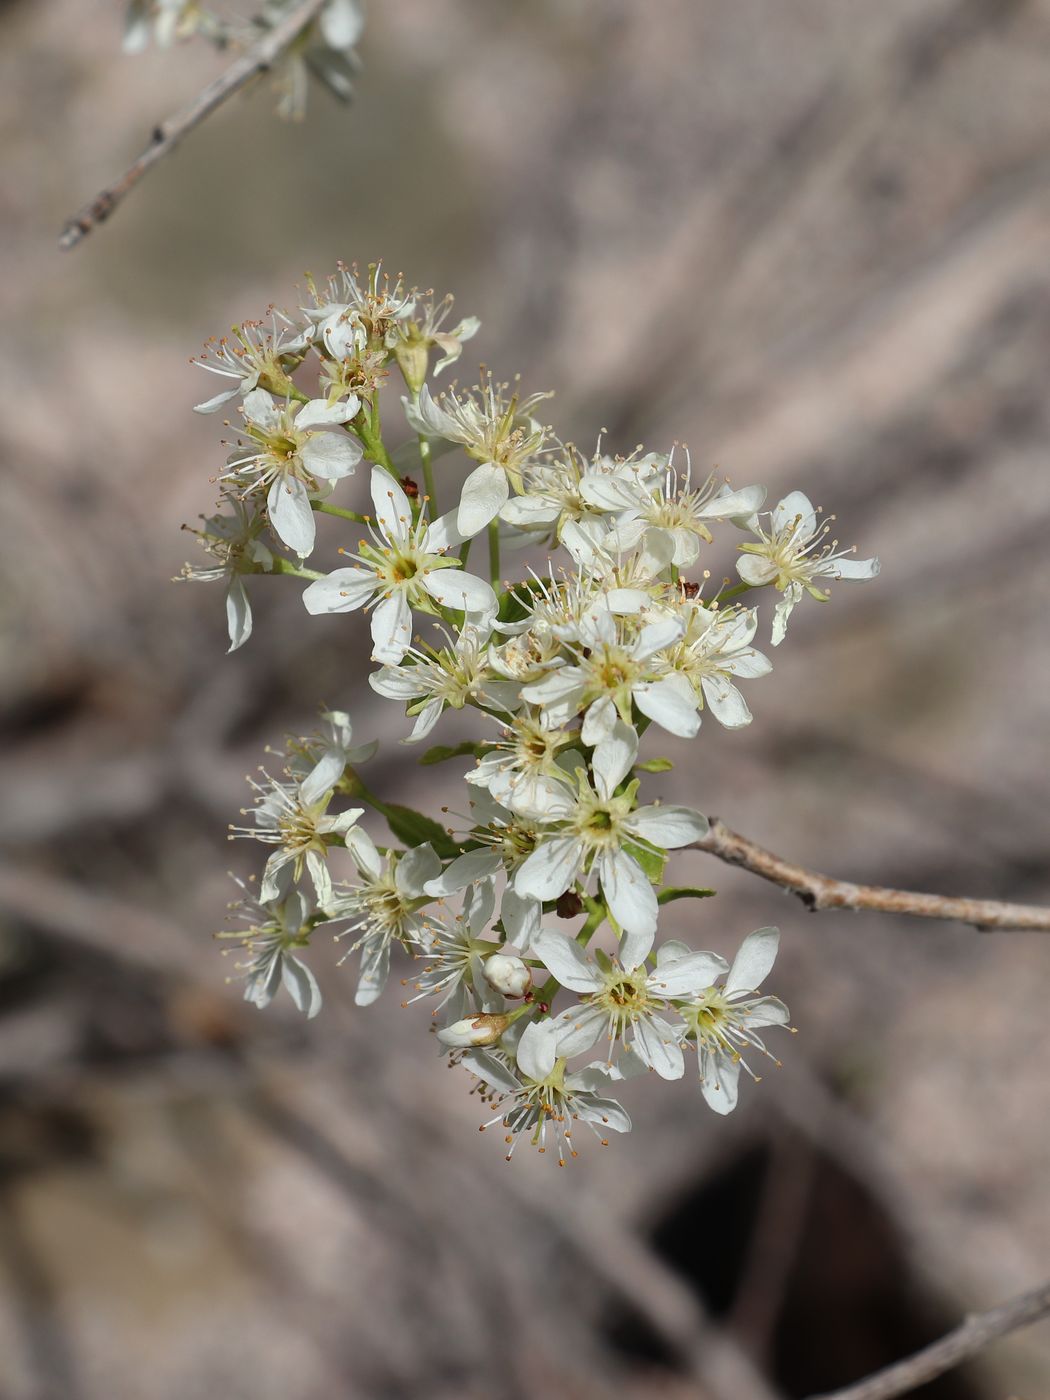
(325, 50)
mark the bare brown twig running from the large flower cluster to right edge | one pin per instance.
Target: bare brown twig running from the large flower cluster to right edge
(824, 892)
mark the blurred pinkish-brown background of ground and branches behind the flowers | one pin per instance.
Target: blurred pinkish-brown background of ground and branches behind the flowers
(808, 237)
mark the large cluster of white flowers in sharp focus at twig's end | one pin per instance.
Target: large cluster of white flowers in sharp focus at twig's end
(531, 926)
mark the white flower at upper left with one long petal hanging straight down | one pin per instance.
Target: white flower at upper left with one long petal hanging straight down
(293, 450)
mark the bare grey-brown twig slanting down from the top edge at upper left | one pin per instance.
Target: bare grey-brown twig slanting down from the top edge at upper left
(169, 135)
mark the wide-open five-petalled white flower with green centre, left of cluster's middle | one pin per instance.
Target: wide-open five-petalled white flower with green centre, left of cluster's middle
(404, 568)
